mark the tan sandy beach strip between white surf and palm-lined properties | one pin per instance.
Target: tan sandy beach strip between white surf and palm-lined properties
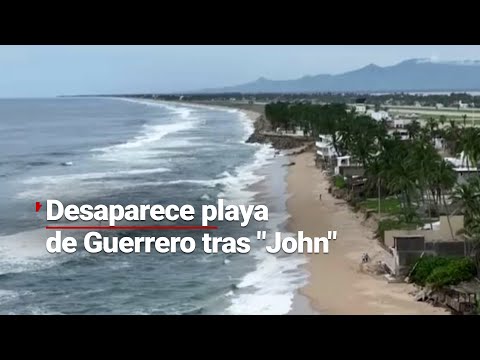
(337, 284)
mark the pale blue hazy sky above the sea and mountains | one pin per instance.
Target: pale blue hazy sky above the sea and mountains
(44, 71)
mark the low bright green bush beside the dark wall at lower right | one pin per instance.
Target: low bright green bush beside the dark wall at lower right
(438, 272)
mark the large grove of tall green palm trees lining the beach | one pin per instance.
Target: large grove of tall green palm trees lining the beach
(414, 181)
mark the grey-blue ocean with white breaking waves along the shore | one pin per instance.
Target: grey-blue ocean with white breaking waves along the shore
(123, 151)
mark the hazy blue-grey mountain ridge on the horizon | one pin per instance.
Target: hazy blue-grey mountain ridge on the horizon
(408, 76)
